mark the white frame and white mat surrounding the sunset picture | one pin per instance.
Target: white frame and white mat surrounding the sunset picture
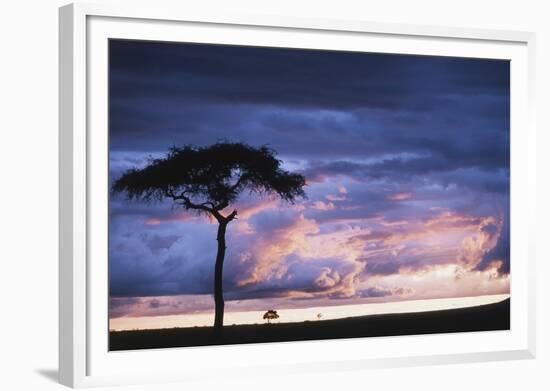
(83, 359)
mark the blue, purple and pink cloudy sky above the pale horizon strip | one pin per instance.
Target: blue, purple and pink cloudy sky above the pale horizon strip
(406, 160)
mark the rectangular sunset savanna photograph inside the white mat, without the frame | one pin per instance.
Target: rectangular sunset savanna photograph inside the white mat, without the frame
(276, 194)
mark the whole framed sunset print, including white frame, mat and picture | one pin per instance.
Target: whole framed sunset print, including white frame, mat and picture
(254, 192)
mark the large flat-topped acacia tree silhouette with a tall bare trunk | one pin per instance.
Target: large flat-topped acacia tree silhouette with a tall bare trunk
(207, 180)
